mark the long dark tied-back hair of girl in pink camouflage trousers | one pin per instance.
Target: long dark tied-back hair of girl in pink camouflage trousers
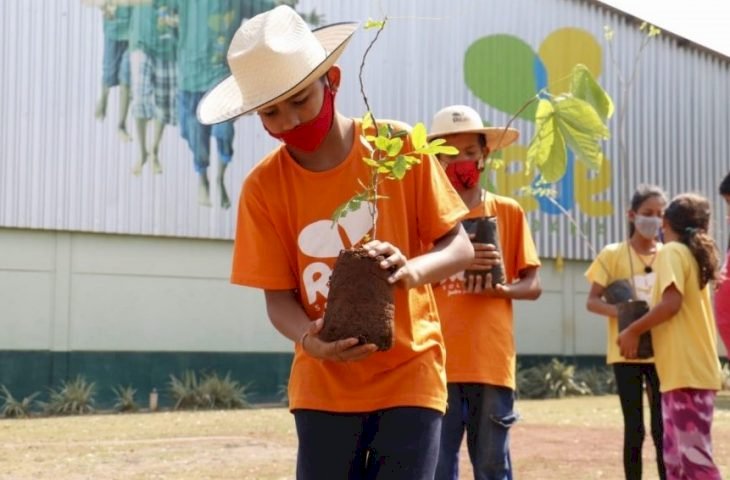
(688, 215)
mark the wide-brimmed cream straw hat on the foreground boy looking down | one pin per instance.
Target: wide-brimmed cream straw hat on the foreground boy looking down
(273, 56)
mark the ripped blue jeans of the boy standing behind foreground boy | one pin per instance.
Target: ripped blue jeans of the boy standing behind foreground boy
(486, 413)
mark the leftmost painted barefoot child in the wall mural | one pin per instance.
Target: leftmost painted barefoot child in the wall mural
(115, 69)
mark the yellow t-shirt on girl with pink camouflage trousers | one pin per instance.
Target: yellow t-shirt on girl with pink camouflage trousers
(685, 346)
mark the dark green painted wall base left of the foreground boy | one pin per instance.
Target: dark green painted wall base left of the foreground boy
(25, 372)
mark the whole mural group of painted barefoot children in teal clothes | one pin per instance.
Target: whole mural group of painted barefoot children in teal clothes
(163, 56)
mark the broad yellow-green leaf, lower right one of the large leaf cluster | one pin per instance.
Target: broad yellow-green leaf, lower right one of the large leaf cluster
(582, 129)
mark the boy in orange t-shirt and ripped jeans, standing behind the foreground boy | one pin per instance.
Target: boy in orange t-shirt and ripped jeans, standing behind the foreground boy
(476, 317)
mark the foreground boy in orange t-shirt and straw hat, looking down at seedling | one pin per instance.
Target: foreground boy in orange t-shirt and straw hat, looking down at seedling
(358, 413)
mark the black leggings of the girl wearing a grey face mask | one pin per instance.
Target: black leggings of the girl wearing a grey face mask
(630, 378)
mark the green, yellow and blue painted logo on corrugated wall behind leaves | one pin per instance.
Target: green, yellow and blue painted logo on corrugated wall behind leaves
(514, 73)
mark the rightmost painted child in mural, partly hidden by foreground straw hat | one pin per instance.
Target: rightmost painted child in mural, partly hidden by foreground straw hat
(206, 29)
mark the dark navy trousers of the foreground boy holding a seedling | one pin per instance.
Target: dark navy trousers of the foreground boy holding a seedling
(392, 444)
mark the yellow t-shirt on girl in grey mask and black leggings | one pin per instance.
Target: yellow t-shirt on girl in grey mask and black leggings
(612, 264)
